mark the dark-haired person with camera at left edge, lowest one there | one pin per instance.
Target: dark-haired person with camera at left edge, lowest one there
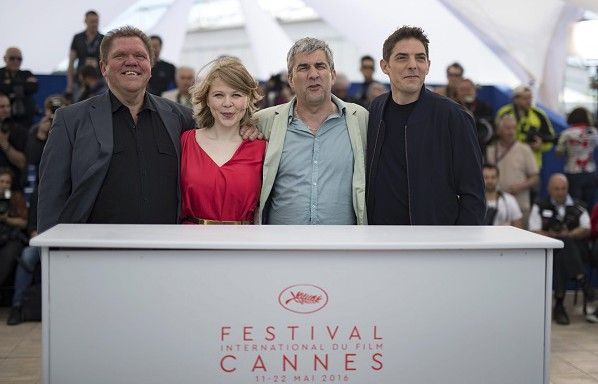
(13, 219)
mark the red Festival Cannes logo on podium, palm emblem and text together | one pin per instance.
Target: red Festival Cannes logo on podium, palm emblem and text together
(300, 352)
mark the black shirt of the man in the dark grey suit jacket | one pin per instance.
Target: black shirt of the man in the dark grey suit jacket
(141, 184)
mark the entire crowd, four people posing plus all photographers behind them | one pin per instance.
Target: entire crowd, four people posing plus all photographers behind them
(298, 149)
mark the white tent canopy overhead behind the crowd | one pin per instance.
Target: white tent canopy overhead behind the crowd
(505, 42)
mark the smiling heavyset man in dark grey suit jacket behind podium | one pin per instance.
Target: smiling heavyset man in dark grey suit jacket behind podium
(115, 158)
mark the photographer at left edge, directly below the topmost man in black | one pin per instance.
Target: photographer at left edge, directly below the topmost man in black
(13, 138)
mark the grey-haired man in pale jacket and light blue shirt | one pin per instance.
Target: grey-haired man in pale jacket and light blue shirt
(314, 169)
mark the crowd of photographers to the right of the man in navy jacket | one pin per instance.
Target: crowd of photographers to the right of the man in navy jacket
(513, 140)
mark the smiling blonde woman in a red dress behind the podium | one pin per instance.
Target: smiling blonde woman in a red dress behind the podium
(221, 174)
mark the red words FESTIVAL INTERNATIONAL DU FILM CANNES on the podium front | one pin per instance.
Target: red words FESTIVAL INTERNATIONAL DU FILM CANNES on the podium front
(336, 348)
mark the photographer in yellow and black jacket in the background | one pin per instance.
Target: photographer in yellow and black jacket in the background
(533, 126)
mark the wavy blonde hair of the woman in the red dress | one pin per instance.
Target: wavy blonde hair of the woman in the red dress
(231, 71)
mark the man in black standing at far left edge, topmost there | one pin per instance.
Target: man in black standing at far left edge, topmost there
(19, 86)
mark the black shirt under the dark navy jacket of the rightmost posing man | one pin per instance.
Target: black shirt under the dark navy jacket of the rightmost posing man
(391, 191)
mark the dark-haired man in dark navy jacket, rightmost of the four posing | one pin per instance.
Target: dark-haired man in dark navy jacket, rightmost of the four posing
(424, 165)
